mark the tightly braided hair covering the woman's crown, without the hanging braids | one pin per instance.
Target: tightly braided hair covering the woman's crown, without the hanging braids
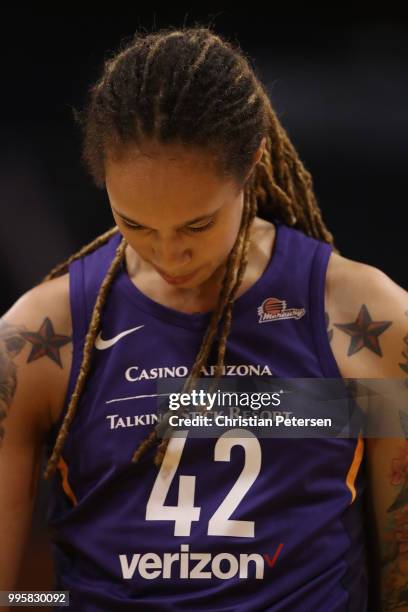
(187, 88)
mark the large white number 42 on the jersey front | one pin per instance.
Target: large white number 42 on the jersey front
(185, 512)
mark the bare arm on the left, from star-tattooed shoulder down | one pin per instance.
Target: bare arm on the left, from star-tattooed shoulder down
(34, 347)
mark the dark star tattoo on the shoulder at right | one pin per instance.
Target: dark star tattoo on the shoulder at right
(364, 332)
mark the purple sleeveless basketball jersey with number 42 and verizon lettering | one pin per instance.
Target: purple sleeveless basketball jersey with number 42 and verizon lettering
(235, 524)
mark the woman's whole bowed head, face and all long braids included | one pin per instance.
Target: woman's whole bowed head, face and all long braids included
(177, 126)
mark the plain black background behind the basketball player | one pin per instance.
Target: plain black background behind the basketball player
(338, 84)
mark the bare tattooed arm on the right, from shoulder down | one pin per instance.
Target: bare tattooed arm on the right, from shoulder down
(369, 318)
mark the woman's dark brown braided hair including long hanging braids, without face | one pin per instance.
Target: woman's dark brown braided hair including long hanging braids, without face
(189, 86)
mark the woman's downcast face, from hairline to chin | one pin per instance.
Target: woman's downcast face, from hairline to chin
(178, 213)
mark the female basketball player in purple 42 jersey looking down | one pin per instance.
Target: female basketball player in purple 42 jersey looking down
(219, 265)
